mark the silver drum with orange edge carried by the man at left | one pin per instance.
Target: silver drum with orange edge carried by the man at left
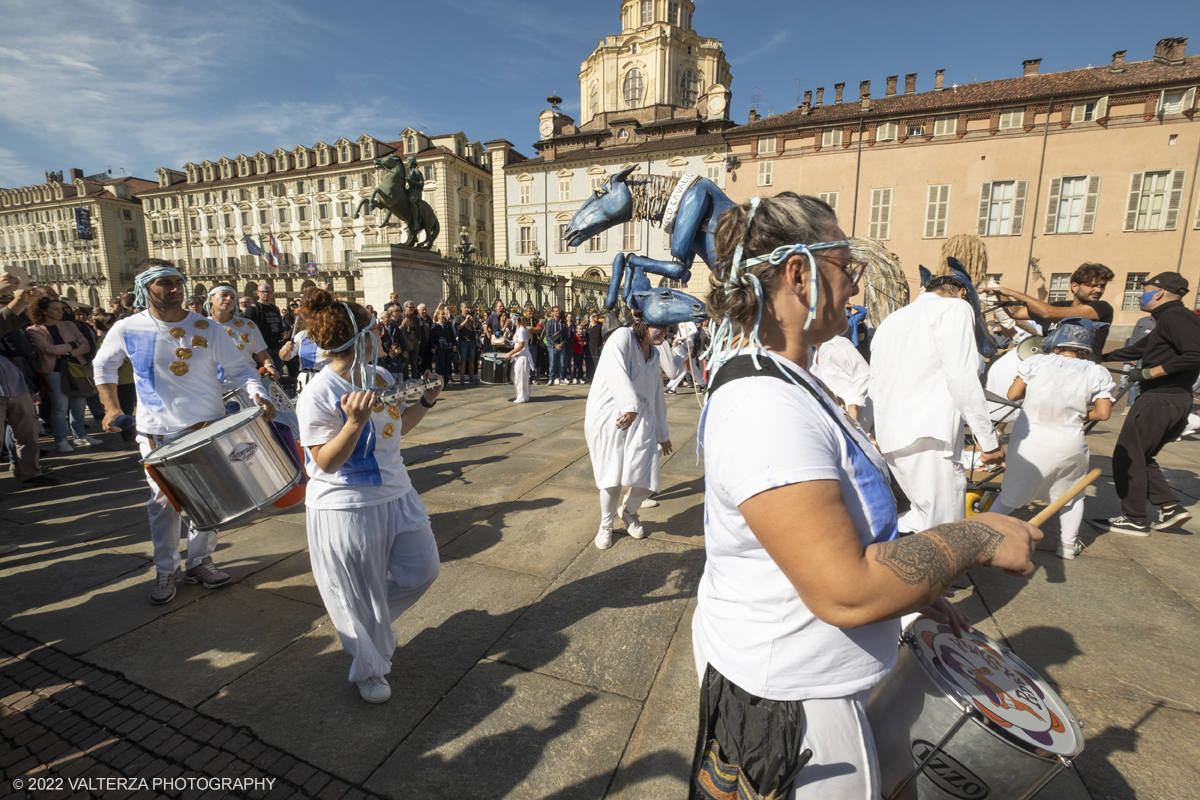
(226, 471)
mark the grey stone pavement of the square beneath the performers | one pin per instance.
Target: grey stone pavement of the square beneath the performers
(536, 667)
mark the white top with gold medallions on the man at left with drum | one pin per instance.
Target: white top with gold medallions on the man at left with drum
(171, 402)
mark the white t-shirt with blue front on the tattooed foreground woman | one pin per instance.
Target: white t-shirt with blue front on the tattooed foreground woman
(759, 435)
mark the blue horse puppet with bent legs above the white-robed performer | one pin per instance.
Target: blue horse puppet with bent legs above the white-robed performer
(688, 208)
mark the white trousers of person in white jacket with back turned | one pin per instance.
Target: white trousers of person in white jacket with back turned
(932, 474)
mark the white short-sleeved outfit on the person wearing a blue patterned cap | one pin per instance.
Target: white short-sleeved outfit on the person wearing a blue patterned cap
(1048, 453)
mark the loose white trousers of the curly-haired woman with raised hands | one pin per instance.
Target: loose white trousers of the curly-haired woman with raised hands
(371, 566)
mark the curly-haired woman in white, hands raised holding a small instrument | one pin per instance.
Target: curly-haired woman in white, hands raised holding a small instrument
(370, 540)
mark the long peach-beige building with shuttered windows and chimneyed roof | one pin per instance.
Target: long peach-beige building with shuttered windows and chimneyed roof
(1052, 171)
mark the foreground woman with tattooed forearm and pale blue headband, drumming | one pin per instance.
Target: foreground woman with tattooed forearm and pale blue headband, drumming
(806, 579)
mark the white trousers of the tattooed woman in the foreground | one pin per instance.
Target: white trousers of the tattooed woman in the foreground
(844, 765)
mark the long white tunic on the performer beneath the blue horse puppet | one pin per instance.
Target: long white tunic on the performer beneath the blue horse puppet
(626, 382)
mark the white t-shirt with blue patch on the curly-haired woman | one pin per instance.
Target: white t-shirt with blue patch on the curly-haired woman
(375, 473)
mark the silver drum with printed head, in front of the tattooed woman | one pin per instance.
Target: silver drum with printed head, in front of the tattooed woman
(964, 719)
